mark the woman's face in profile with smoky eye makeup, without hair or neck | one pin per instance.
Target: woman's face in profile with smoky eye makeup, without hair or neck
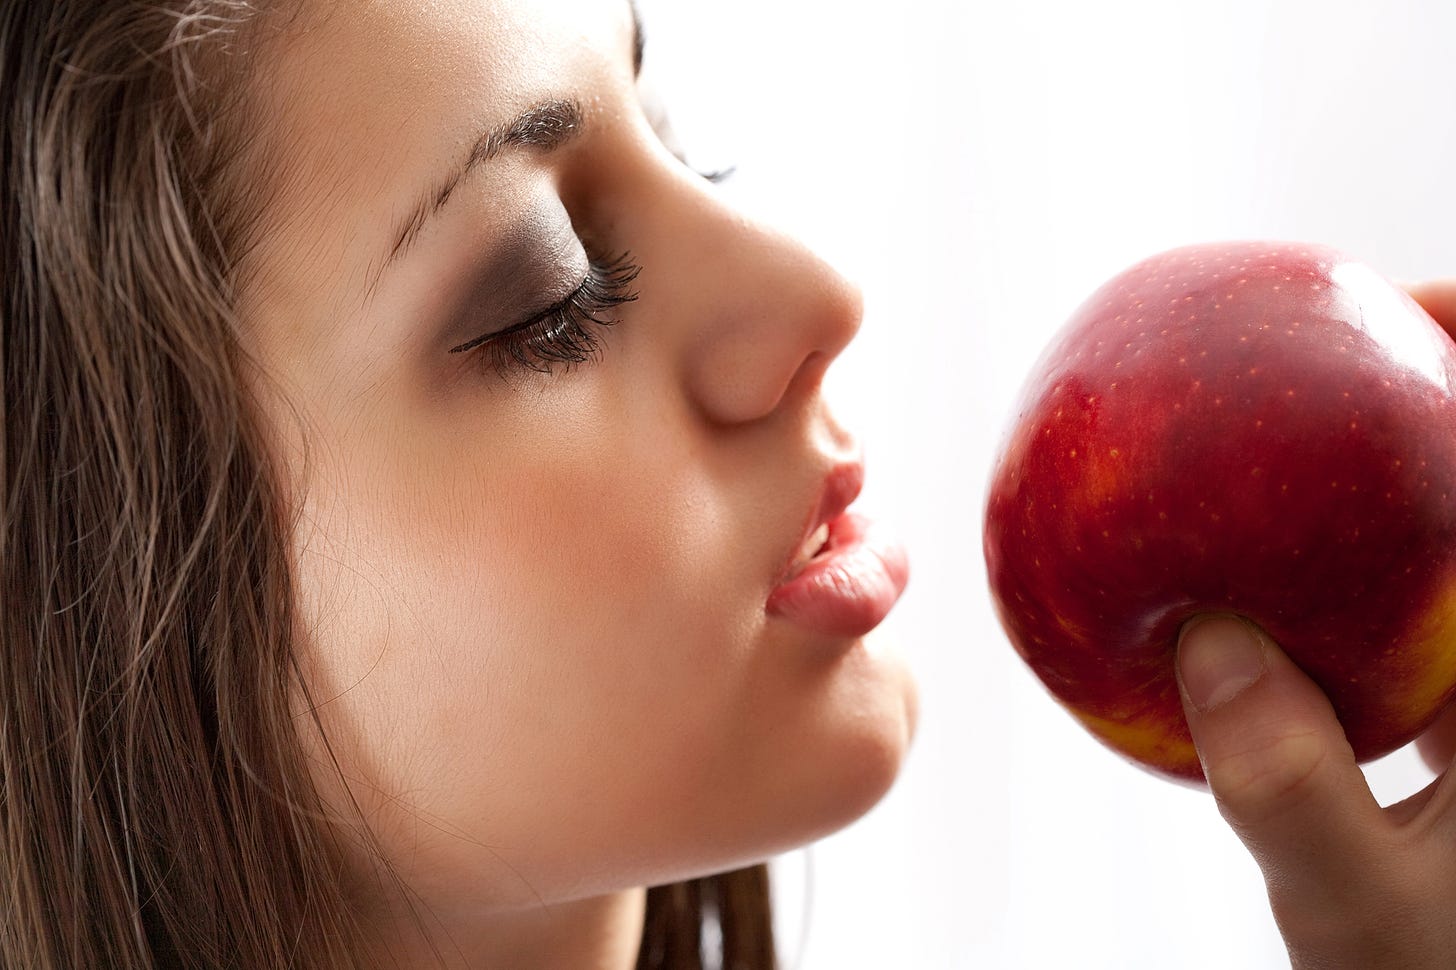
(544, 612)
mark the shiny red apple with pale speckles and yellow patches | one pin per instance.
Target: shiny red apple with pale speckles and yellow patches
(1254, 429)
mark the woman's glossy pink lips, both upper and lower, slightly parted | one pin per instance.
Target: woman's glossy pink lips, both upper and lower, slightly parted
(855, 580)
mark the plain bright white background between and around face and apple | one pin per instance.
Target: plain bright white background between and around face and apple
(979, 168)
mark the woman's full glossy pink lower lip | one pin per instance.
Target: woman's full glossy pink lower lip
(851, 588)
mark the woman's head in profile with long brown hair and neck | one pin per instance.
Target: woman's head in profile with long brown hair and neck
(423, 524)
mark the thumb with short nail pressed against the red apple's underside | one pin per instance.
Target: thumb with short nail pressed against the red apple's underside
(1276, 760)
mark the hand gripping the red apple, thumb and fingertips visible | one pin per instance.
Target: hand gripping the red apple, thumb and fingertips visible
(1352, 883)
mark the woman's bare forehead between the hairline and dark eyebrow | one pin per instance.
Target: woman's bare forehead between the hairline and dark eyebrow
(366, 103)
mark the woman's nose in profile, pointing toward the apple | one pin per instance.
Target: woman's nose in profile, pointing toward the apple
(765, 320)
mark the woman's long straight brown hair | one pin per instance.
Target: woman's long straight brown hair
(155, 805)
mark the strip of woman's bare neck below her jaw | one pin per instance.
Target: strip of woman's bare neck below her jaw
(590, 934)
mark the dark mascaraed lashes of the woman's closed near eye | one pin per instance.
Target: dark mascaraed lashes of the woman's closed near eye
(569, 333)
